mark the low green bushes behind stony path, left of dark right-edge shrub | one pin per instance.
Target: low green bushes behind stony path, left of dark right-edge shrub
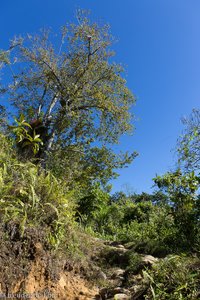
(147, 226)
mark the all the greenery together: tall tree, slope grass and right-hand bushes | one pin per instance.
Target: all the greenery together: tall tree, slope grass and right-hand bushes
(56, 160)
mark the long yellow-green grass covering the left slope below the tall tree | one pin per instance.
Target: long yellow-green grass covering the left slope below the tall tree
(33, 198)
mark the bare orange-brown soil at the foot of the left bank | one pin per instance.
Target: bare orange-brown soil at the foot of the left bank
(36, 285)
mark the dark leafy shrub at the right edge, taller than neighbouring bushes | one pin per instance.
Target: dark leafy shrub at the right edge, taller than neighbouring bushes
(181, 190)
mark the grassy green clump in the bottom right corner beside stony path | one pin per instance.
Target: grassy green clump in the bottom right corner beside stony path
(175, 277)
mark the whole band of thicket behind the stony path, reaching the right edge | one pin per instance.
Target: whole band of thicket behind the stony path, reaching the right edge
(159, 224)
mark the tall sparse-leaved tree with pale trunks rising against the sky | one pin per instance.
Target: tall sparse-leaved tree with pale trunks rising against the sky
(72, 93)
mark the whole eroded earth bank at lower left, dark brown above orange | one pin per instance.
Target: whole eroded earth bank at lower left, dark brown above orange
(27, 271)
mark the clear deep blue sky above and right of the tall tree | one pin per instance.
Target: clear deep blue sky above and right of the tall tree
(159, 41)
